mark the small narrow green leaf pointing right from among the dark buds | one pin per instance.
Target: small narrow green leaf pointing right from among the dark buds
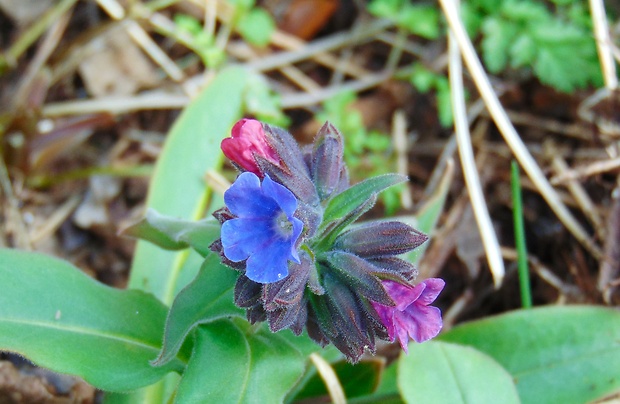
(354, 197)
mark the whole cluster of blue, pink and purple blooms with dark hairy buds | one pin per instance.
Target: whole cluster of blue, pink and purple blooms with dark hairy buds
(305, 268)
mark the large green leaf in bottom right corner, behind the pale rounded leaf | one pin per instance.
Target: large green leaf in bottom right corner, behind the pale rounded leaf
(560, 354)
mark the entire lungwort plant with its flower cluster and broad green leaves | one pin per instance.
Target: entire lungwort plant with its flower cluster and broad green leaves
(229, 298)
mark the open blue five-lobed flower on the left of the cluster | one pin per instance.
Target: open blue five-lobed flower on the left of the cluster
(264, 230)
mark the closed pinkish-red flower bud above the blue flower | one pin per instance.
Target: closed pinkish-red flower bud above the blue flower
(248, 141)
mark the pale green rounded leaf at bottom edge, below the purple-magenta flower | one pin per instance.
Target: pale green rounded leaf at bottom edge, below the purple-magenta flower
(437, 372)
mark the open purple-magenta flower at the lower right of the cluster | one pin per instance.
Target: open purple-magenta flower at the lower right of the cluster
(412, 317)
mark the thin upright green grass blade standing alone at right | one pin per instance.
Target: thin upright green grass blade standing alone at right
(517, 211)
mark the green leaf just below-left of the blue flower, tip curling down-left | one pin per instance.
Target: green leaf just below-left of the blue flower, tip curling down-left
(207, 298)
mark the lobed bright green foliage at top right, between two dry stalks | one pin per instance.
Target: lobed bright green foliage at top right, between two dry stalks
(557, 47)
